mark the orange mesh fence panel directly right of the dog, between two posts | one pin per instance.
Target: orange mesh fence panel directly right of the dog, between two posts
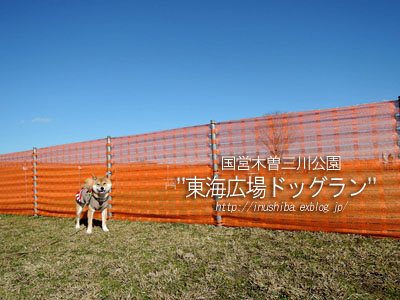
(148, 176)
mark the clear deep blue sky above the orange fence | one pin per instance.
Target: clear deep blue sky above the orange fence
(72, 71)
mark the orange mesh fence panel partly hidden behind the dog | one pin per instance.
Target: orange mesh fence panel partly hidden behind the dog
(61, 170)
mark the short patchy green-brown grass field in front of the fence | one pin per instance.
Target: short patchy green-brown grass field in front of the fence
(46, 258)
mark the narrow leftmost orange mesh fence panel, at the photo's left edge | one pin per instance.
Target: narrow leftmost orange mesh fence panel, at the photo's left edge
(16, 183)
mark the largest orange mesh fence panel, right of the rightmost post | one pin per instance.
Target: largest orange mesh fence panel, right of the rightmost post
(362, 197)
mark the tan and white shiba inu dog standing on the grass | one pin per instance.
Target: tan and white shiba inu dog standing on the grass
(95, 194)
